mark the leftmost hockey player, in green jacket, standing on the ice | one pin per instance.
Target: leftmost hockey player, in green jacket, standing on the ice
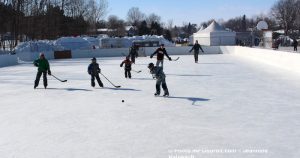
(43, 67)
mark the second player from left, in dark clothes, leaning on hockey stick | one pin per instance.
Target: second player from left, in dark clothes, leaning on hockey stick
(94, 71)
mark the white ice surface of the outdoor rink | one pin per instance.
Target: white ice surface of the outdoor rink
(222, 107)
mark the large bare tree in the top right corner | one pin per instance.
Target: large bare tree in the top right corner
(285, 11)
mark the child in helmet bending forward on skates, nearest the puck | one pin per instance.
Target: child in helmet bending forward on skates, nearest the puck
(160, 76)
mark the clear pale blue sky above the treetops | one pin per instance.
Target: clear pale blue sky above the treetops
(194, 11)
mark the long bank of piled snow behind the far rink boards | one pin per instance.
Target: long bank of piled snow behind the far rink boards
(87, 43)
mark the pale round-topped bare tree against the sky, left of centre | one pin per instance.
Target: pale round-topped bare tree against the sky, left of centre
(135, 16)
